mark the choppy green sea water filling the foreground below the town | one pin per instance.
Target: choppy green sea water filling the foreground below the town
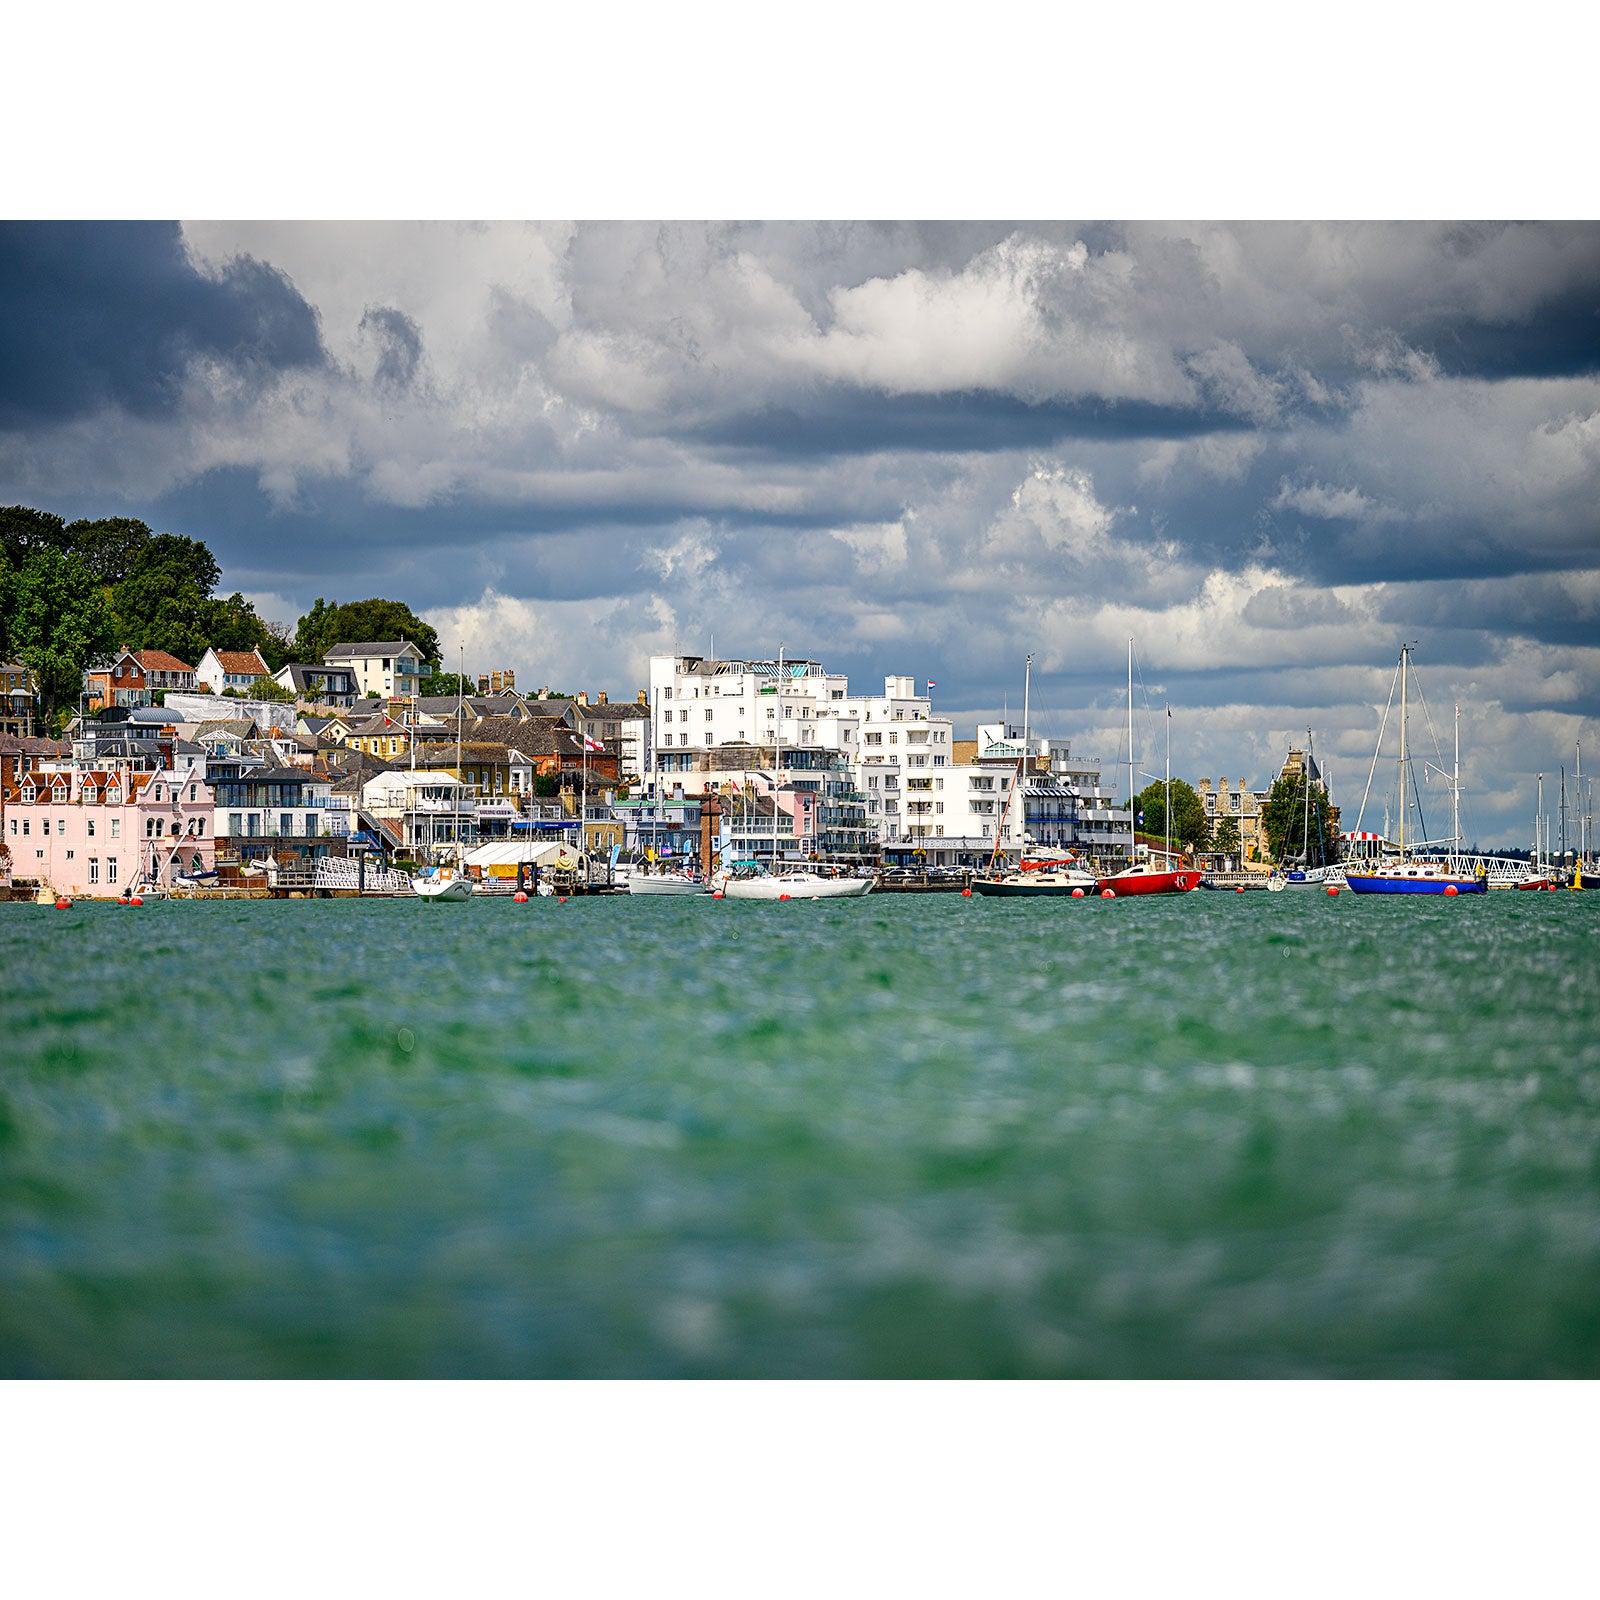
(1204, 1135)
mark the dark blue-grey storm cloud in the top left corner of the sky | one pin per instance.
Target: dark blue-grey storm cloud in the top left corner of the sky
(114, 313)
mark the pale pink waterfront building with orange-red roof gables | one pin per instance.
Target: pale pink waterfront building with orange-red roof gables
(90, 834)
